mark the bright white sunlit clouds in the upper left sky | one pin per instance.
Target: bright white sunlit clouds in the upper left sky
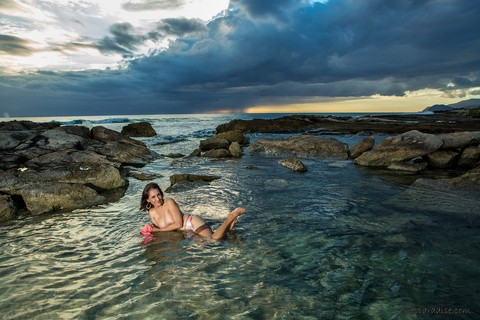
(51, 27)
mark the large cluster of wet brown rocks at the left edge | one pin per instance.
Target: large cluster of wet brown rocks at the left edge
(45, 167)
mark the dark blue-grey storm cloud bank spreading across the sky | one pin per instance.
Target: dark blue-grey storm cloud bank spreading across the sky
(264, 52)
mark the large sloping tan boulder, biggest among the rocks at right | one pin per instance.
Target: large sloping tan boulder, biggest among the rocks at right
(400, 148)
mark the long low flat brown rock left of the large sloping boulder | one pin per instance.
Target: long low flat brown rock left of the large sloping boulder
(303, 146)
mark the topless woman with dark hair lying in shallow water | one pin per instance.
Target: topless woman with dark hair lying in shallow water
(167, 216)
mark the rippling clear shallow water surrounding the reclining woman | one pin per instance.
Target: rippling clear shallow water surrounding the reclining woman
(338, 242)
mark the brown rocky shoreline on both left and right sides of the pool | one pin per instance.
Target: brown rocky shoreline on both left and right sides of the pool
(48, 167)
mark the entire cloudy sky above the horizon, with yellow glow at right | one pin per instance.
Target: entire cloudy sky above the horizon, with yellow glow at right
(120, 57)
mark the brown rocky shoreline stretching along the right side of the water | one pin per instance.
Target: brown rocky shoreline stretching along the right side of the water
(418, 143)
